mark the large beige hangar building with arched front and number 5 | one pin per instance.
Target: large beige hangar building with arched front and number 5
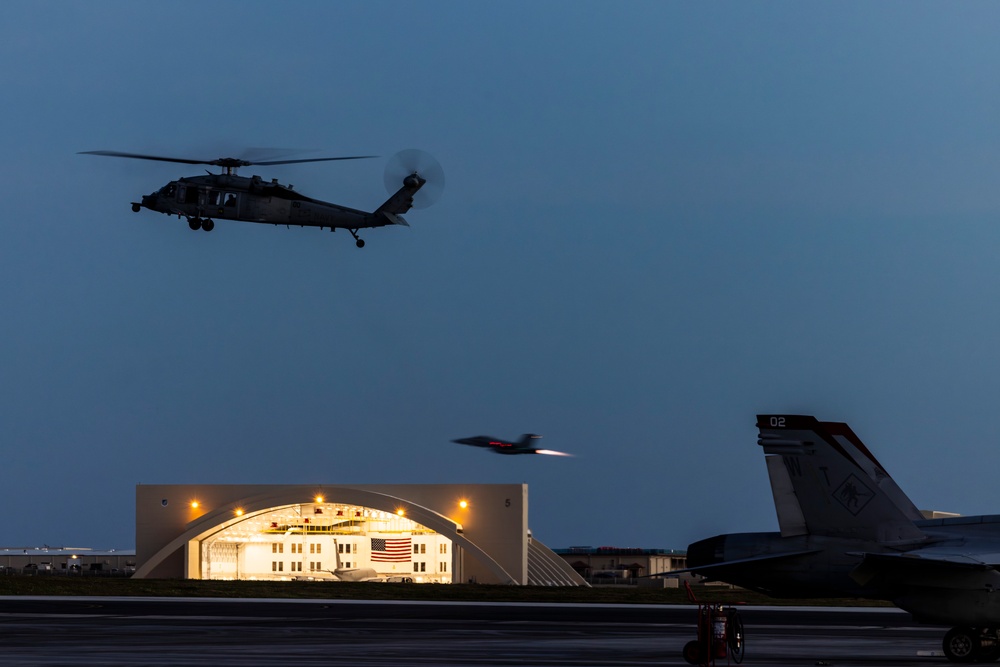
(424, 533)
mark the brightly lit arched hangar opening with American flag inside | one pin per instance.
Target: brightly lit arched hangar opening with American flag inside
(327, 541)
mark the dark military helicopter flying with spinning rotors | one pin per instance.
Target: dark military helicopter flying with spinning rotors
(228, 196)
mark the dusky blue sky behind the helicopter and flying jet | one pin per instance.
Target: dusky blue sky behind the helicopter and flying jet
(660, 219)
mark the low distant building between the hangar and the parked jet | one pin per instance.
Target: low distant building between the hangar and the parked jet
(594, 563)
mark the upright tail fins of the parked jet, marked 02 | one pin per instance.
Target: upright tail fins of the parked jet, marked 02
(826, 482)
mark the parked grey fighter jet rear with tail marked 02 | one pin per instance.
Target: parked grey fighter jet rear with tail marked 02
(847, 530)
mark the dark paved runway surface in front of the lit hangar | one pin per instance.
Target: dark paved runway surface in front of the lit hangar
(291, 633)
